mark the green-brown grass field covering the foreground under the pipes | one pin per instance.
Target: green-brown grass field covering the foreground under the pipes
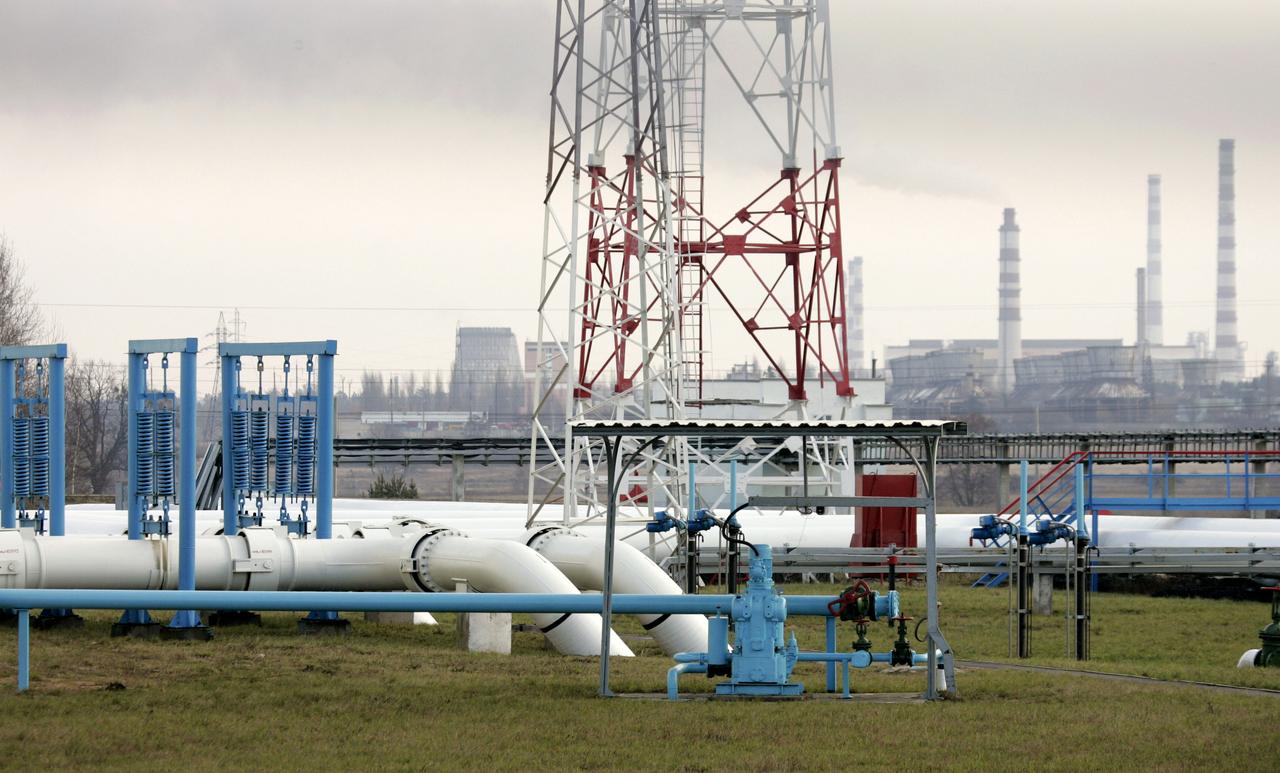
(403, 698)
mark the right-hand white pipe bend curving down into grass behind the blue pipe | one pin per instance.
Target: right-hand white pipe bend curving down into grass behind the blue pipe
(580, 559)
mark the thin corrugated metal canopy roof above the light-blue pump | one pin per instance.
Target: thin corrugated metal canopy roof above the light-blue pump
(652, 428)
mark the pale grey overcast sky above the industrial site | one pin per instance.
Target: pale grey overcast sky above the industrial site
(314, 162)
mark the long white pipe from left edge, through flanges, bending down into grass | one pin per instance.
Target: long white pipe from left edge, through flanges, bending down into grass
(412, 557)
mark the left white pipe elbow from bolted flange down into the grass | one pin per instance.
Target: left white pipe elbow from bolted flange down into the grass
(447, 557)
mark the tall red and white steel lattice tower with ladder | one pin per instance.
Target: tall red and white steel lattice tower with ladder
(636, 251)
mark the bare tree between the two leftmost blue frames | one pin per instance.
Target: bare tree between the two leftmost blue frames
(97, 424)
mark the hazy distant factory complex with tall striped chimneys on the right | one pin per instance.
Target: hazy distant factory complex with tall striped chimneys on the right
(1080, 385)
